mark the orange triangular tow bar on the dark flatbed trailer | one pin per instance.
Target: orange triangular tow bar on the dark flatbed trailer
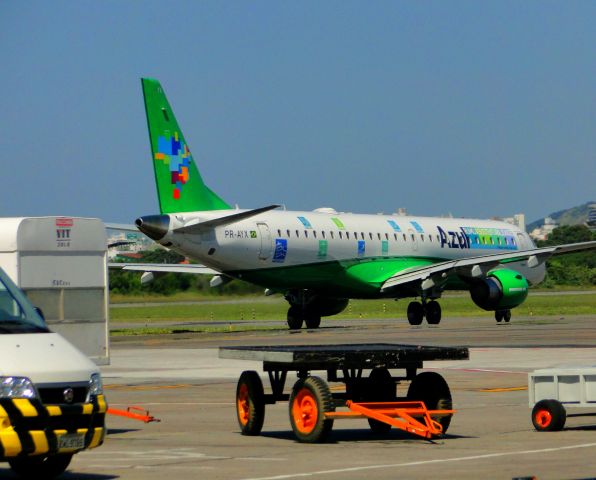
(411, 416)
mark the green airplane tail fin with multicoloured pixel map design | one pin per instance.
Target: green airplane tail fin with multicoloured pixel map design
(180, 187)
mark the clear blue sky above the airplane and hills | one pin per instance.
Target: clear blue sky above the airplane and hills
(471, 108)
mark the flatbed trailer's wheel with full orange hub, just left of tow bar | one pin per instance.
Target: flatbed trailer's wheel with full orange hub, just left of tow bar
(309, 401)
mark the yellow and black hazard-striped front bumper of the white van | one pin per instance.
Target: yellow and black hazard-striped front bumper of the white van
(29, 428)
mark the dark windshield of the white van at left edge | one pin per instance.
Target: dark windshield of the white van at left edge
(17, 315)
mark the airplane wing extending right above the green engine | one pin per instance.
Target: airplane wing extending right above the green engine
(476, 267)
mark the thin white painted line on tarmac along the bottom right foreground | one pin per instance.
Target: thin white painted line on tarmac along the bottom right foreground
(423, 462)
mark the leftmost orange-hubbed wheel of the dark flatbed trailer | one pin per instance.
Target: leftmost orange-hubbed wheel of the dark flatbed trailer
(250, 403)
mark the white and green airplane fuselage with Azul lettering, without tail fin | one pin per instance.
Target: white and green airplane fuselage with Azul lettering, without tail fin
(348, 255)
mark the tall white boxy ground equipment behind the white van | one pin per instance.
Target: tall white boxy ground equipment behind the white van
(61, 264)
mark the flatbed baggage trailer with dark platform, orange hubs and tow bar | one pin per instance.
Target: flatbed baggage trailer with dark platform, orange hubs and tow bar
(425, 411)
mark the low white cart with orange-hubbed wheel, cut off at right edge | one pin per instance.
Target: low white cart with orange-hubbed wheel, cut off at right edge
(552, 390)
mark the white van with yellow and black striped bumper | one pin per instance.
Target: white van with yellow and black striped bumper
(51, 395)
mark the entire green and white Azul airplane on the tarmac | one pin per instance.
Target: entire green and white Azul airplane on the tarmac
(320, 259)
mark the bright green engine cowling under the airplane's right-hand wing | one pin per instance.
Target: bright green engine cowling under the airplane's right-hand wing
(500, 290)
